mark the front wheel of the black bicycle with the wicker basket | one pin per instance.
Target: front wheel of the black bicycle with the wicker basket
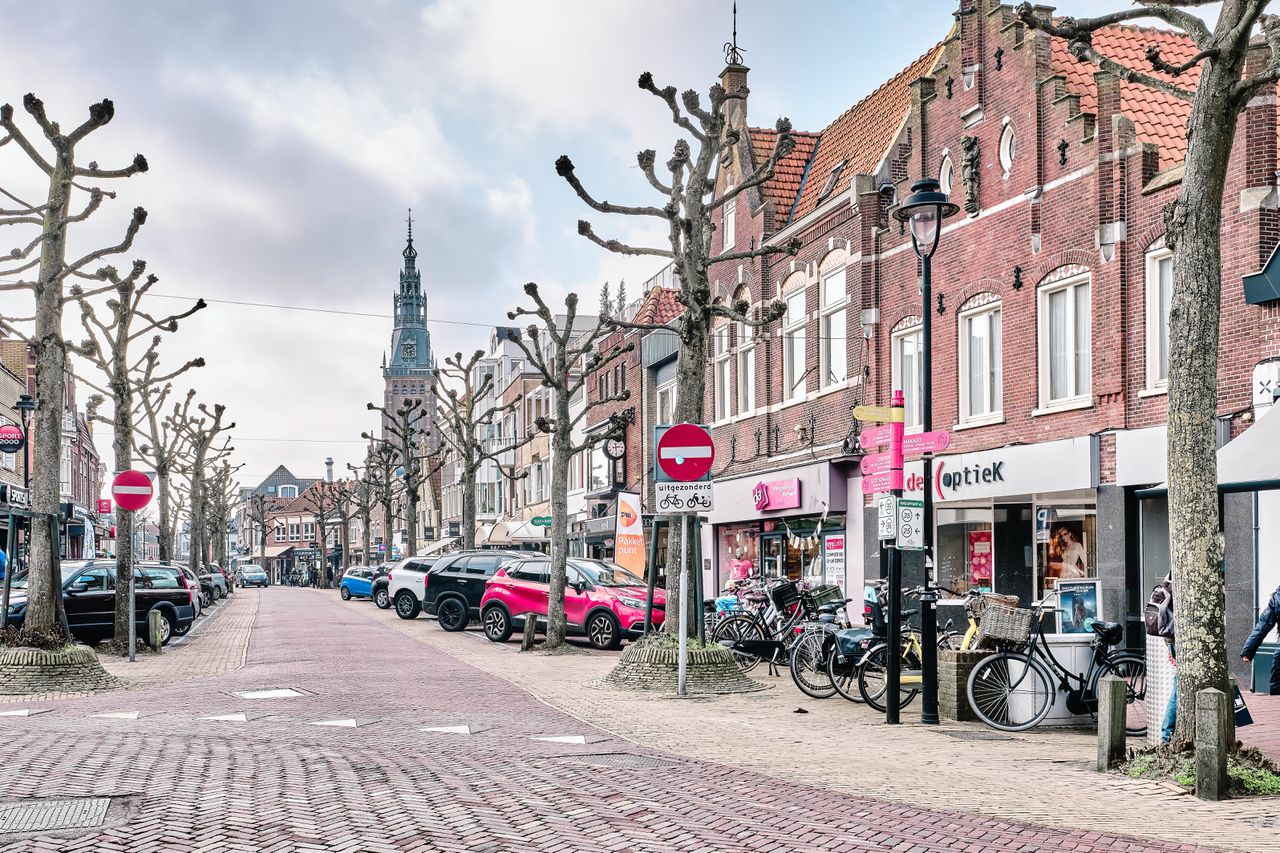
(1011, 691)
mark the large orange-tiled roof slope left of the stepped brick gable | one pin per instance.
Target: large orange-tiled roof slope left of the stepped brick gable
(862, 136)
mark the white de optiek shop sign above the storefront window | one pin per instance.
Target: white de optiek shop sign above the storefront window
(1026, 469)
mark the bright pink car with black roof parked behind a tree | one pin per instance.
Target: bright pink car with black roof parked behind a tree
(602, 600)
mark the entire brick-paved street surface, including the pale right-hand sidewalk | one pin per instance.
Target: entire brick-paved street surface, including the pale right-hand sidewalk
(349, 763)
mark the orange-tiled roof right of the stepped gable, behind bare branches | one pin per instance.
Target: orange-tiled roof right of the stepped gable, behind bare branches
(1158, 117)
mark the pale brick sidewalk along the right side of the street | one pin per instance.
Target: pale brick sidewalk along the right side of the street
(1043, 777)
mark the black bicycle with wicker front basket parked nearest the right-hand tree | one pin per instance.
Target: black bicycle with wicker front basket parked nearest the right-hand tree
(1014, 688)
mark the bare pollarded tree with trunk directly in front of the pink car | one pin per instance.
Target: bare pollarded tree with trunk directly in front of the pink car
(557, 350)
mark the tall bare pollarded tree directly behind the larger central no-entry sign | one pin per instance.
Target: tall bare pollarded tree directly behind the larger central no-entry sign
(688, 206)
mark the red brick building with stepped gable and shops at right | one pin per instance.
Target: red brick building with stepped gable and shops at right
(1050, 327)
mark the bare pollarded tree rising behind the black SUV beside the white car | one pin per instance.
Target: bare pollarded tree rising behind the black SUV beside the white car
(465, 422)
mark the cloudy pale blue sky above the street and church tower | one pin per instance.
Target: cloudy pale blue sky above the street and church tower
(289, 139)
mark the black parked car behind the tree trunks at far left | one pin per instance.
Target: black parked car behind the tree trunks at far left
(89, 599)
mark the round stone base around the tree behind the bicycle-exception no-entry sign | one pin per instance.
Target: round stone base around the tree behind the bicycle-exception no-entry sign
(653, 668)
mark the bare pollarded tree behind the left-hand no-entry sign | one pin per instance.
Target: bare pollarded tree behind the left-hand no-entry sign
(108, 348)
